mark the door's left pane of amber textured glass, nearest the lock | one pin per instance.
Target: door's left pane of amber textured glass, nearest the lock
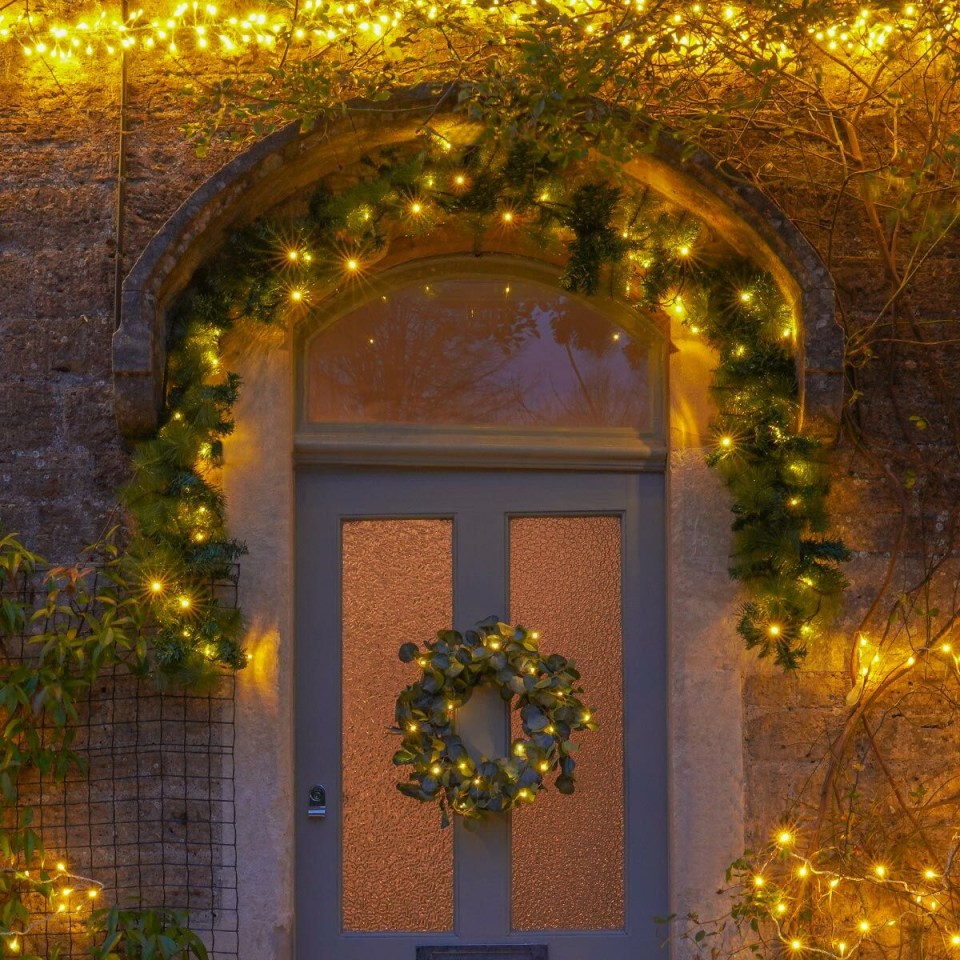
(397, 586)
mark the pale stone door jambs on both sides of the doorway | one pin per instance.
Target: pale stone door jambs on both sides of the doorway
(708, 777)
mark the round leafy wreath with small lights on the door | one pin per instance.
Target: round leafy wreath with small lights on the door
(454, 665)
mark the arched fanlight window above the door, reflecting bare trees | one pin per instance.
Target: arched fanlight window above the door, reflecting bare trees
(478, 351)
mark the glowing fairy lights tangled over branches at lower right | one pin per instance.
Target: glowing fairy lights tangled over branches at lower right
(865, 882)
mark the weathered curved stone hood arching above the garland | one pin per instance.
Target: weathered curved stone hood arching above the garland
(279, 166)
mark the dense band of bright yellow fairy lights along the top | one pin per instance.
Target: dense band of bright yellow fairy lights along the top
(206, 32)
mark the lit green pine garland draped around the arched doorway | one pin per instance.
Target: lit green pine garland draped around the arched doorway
(630, 245)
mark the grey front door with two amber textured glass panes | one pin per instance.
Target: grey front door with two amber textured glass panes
(389, 556)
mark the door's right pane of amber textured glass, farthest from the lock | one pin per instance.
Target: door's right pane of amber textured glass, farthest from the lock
(565, 581)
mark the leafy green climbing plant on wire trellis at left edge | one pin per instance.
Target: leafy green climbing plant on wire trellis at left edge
(61, 628)
